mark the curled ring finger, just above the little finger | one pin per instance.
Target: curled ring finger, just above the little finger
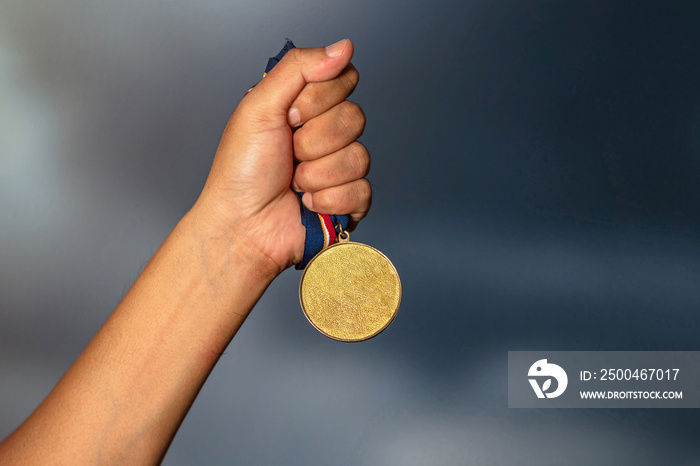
(348, 164)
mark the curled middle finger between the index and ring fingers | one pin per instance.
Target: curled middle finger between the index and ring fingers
(329, 132)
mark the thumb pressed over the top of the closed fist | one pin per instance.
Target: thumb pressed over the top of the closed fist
(278, 90)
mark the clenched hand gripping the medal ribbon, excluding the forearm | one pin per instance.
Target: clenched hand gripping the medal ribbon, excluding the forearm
(249, 191)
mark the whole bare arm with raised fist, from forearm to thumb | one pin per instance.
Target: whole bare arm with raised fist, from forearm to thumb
(125, 396)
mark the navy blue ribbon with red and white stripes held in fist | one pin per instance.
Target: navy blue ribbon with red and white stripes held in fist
(321, 229)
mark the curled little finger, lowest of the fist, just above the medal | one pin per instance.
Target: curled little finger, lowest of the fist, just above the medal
(354, 199)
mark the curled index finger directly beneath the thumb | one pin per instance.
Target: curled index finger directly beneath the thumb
(317, 98)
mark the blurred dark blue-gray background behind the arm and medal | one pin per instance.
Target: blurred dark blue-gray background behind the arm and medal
(535, 172)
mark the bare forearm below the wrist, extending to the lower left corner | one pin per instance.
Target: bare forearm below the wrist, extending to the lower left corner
(126, 395)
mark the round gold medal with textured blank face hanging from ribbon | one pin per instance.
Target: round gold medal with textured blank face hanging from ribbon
(350, 291)
